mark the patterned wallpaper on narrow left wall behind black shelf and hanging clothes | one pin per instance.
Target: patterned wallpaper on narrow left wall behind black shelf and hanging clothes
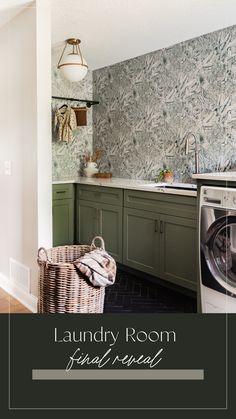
(67, 158)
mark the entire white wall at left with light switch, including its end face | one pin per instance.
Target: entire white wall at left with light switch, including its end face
(25, 138)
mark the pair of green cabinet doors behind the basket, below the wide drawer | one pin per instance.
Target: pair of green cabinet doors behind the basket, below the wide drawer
(98, 219)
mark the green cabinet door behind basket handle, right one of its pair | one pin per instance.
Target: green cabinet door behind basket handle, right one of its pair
(111, 229)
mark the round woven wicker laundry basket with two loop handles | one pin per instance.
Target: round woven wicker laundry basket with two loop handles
(62, 289)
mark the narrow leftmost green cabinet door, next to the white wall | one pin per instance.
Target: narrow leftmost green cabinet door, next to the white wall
(63, 222)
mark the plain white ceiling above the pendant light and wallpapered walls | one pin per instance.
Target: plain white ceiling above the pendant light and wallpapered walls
(115, 30)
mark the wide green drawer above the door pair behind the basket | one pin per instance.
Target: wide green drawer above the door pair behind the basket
(113, 196)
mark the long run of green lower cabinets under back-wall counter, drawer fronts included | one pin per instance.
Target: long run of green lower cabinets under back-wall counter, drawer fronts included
(145, 231)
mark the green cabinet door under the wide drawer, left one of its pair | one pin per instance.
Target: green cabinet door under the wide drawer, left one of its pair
(87, 221)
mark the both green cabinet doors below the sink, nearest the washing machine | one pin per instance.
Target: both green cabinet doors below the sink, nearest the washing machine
(163, 246)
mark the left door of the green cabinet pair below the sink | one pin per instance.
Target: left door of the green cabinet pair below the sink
(141, 240)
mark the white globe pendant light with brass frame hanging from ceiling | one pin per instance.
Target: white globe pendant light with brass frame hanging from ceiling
(72, 65)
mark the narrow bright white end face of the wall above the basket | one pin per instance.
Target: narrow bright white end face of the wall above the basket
(44, 141)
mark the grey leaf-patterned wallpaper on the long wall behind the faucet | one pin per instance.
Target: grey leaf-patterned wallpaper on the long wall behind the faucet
(149, 104)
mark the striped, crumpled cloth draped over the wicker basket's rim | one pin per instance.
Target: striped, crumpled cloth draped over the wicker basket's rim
(98, 266)
